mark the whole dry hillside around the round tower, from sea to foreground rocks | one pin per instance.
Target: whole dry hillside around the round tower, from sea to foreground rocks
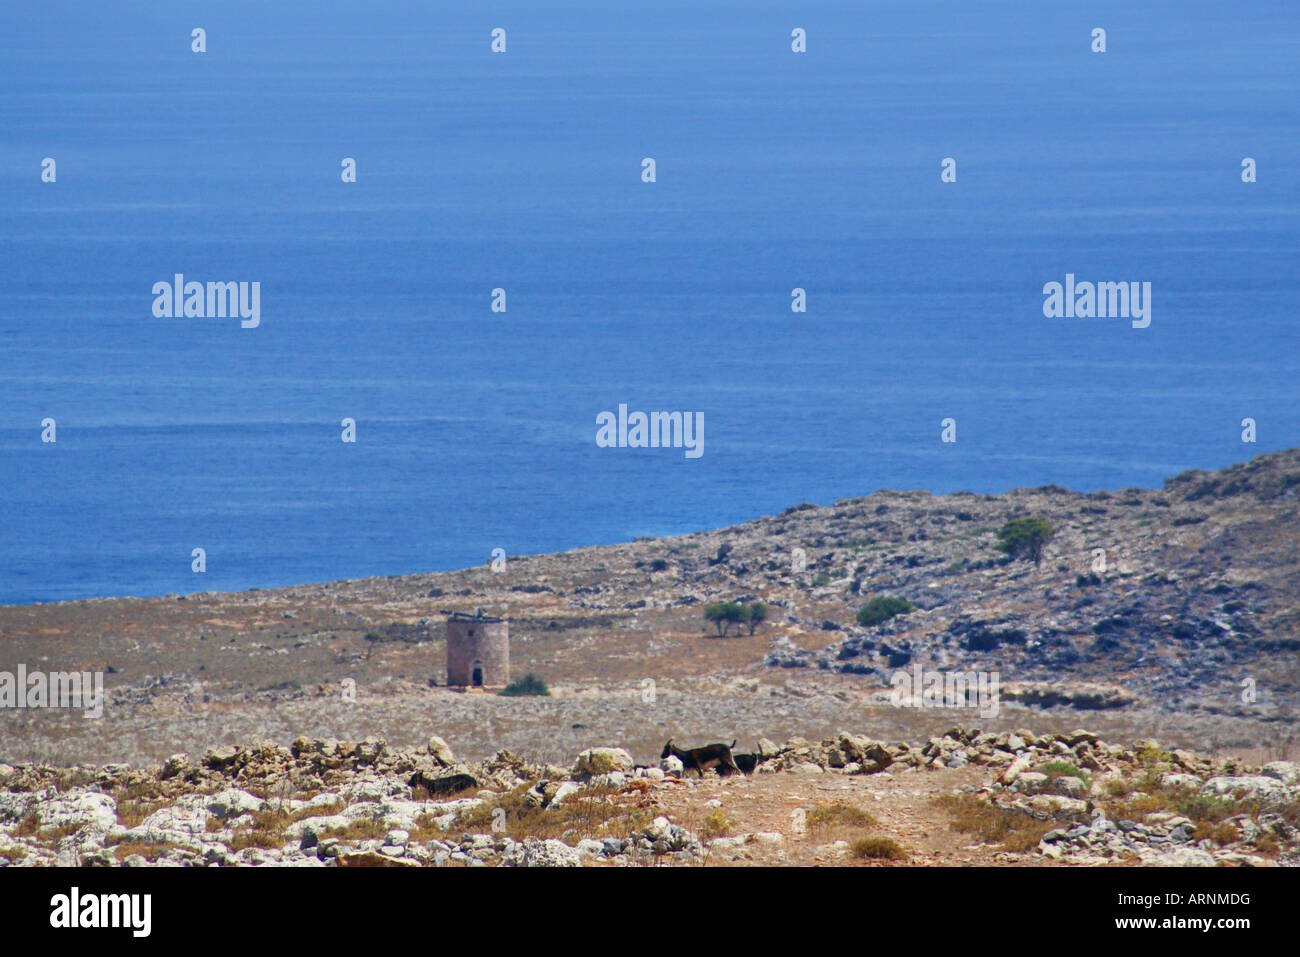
(1171, 613)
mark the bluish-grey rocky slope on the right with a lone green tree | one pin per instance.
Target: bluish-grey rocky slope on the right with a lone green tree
(1177, 596)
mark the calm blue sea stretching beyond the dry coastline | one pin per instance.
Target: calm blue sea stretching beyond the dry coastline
(523, 171)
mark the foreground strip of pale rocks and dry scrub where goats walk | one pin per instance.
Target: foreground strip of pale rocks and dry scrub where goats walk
(963, 798)
